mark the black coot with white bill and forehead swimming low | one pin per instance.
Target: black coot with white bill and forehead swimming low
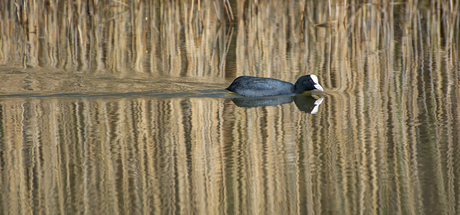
(256, 87)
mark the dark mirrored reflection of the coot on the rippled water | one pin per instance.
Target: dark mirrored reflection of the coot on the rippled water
(305, 103)
